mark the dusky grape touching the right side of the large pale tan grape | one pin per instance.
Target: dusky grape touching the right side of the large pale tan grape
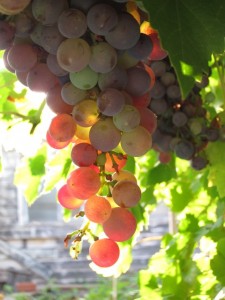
(103, 58)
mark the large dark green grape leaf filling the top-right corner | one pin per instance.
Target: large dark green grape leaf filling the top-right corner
(190, 31)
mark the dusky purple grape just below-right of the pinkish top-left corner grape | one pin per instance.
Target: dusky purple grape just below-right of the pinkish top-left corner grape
(24, 24)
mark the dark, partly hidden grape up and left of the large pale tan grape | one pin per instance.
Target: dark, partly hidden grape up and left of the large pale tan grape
(51, 38)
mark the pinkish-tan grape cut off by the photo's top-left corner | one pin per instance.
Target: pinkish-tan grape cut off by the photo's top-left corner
(12, 7)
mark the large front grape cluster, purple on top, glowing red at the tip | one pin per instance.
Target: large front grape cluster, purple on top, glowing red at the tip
(90, 58)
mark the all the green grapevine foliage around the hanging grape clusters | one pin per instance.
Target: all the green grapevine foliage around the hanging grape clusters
(190, 263)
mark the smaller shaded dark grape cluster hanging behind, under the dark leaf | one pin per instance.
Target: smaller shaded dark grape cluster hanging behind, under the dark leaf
(183, 125)
